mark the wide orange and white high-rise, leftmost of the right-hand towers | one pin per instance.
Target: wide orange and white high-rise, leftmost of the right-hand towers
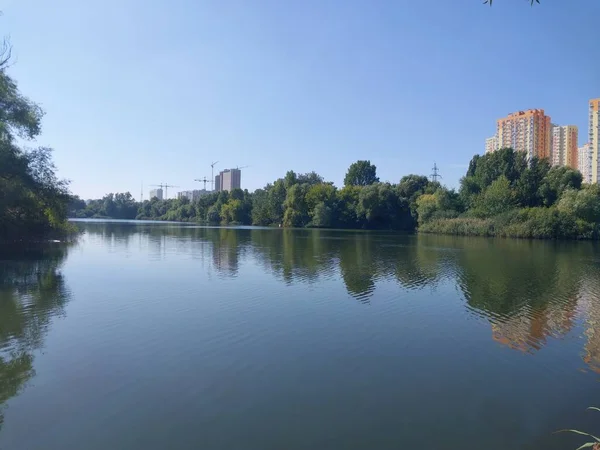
(526, 131)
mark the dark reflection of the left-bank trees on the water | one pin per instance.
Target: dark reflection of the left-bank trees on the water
(32, 292)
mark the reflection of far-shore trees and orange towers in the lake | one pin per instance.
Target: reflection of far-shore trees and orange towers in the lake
(528, 291)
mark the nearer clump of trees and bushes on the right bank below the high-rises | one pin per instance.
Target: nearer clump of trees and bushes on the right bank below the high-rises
(504, 194)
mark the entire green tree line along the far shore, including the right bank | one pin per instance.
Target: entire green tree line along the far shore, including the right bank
(502, 194)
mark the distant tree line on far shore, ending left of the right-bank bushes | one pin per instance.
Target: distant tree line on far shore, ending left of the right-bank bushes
(296, 200)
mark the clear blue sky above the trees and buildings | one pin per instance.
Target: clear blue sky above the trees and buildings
(152, 91)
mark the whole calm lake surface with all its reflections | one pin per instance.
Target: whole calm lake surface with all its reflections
(162, 336)
